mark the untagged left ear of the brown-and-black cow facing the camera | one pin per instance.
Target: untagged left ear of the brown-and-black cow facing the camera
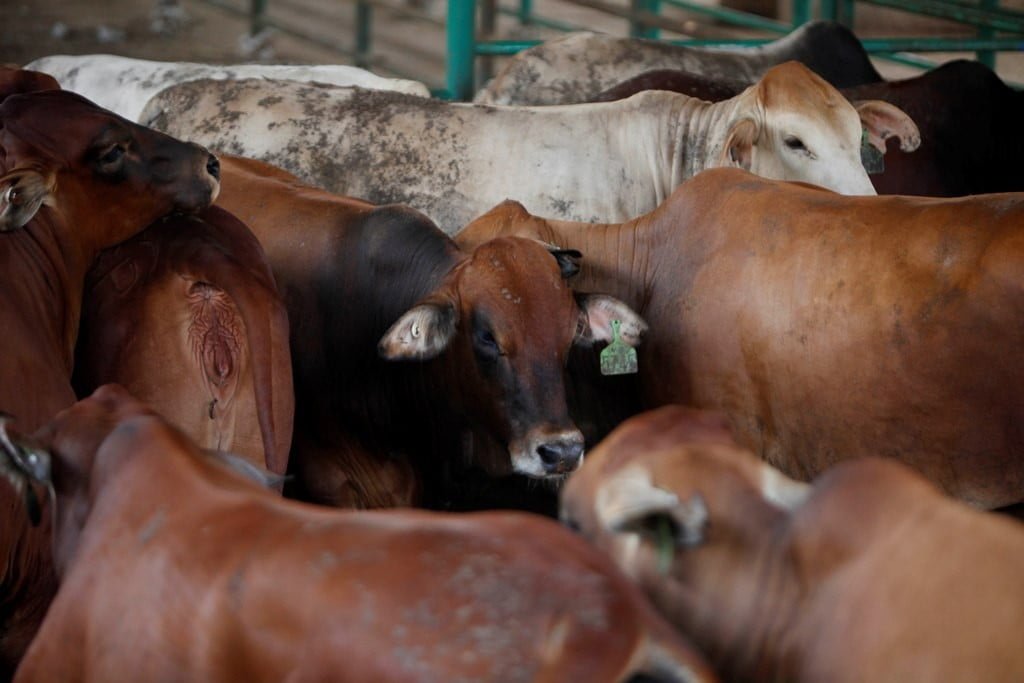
(422, 333)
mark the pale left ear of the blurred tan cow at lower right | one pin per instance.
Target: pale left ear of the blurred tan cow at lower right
(631, 503)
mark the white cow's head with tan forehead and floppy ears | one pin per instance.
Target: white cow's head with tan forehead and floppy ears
(793, 125)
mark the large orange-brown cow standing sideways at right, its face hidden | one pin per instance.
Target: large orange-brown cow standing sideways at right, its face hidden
(826, 327)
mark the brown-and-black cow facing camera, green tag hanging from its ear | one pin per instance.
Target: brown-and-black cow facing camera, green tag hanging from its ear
(407, 350)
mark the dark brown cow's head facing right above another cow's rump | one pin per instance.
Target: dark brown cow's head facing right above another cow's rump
(111, 178)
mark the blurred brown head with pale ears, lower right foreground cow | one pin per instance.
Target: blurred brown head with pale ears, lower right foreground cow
(685, 510)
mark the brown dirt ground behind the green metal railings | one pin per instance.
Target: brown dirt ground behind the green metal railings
(404, 42)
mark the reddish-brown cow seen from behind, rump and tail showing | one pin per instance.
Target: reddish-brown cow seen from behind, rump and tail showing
(187, 317)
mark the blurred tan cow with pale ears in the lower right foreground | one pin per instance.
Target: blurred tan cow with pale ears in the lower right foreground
(868, 575)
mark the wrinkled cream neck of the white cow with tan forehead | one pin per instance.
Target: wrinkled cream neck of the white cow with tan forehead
(704, 130)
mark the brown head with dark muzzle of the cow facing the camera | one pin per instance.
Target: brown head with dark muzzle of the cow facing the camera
(504, 320)
